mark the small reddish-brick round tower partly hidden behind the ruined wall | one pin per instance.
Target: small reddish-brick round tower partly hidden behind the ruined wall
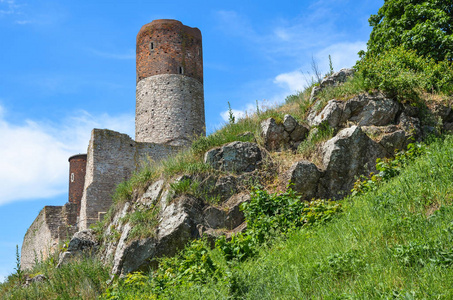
(77, 171)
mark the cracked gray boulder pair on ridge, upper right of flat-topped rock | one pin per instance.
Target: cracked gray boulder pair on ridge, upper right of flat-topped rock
(283, 136)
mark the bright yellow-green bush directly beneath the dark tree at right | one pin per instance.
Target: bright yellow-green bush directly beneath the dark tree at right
(403, 73)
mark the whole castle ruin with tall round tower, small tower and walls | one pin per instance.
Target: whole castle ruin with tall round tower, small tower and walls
(169, 115)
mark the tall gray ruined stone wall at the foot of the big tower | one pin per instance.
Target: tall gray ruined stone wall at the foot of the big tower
(112, 158)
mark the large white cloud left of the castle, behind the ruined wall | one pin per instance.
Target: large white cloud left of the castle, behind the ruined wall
(34, 155)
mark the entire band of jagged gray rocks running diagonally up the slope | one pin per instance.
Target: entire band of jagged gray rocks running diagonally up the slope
(364, 128)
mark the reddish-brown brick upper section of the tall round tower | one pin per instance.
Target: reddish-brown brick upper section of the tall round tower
(169, 47)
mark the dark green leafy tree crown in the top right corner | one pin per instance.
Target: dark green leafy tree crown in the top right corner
(421, 25)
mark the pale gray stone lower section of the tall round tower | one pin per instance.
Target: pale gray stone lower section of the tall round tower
(169, 110)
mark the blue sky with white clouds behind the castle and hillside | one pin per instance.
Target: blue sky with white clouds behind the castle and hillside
(67, 67)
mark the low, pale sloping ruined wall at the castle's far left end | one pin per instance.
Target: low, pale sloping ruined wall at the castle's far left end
(42, 237)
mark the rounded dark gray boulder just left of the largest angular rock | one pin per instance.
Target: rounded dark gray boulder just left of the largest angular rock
(304, 176)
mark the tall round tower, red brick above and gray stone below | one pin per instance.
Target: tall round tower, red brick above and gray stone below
(170, 97)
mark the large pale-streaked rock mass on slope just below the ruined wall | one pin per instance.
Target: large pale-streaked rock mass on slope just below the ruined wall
(181, 218)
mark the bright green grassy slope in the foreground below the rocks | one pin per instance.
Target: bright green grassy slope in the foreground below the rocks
(392, 242)
